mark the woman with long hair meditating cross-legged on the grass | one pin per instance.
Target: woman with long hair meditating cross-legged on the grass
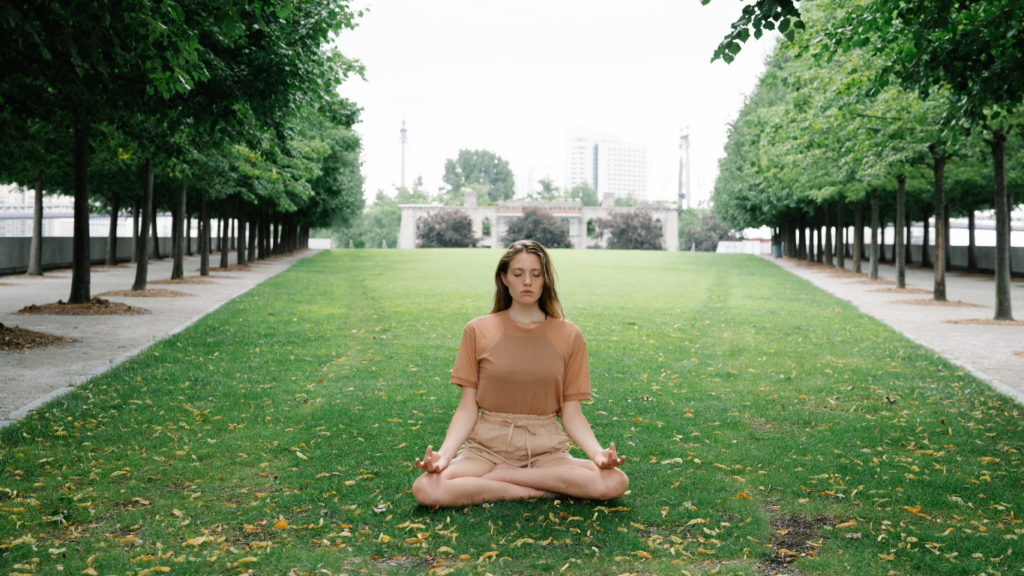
(519, 368)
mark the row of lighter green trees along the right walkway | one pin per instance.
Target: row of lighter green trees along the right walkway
(911, 108)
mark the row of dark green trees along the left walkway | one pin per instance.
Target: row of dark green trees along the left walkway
(205, 109)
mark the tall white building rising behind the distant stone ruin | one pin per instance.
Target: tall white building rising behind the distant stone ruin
(607, 163)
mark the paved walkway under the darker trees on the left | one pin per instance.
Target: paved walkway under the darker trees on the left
(30, 379)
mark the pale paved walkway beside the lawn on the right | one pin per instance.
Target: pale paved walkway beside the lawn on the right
(995, 354)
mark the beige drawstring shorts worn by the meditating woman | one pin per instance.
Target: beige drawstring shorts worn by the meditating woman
(520, 440)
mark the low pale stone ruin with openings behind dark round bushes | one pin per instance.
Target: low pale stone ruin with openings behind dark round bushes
(578, 220)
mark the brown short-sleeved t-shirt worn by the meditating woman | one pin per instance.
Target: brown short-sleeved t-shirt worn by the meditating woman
(517, 371)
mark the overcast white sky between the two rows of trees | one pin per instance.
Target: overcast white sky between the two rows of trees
(515, 77)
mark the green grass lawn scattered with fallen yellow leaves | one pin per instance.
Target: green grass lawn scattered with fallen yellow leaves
(762, 420)
